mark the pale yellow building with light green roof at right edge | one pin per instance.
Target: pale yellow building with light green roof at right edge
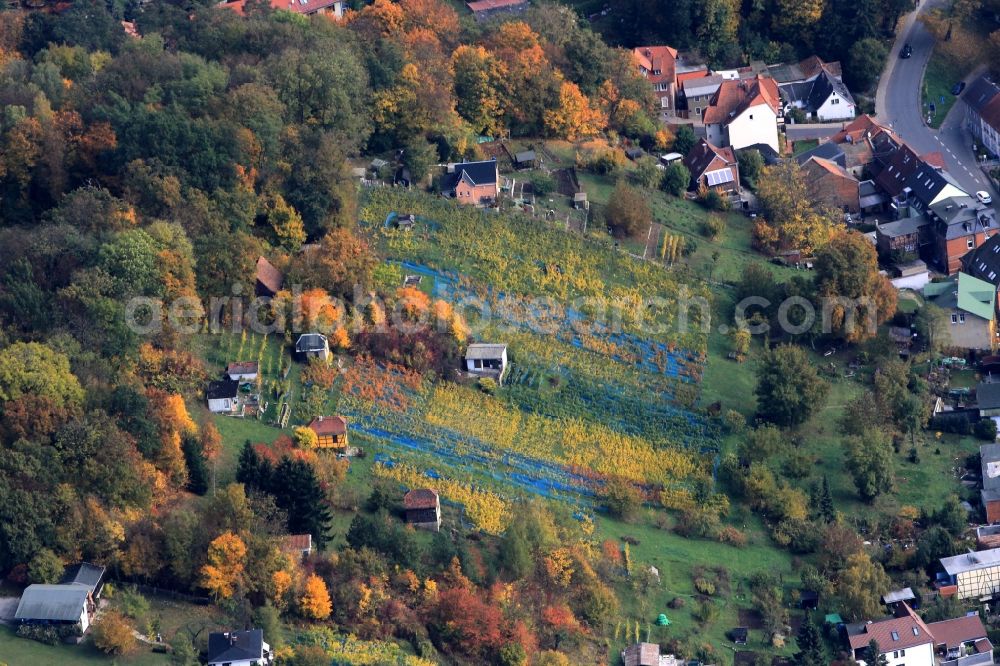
(970, 305)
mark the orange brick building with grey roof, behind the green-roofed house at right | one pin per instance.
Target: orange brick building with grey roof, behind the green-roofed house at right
(959, 224)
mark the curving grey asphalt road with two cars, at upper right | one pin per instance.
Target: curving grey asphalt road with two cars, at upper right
(898, 103)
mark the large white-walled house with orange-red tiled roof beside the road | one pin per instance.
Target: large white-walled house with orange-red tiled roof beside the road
(744, 112)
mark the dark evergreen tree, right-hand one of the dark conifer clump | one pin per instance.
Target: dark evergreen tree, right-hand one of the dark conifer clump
(297, 490)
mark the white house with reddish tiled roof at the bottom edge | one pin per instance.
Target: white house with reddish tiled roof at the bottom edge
(904, 640)
